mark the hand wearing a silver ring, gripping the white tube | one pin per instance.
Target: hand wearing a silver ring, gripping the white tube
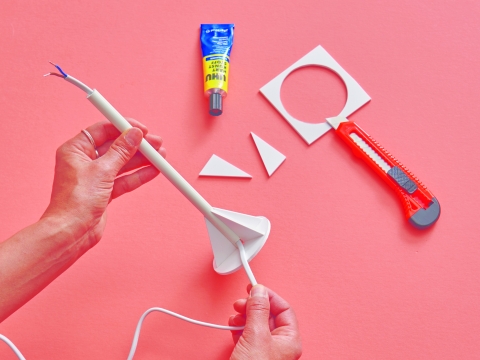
(83, 185)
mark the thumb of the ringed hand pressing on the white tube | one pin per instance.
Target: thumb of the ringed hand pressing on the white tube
(123, 149)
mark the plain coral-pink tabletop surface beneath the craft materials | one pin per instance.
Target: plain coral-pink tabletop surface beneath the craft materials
(364, 284)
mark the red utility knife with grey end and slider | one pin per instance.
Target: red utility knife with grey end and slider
(420, 206)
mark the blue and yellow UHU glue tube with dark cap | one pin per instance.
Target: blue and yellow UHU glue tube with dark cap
(217, 41)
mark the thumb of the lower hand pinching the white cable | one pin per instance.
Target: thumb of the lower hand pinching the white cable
(258, 311)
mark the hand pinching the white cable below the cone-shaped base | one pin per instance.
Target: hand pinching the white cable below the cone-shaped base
(271, 328)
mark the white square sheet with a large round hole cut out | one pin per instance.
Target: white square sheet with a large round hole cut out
(356, 96)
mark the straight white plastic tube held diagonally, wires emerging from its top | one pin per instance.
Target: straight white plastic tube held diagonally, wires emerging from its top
(161, 164)
